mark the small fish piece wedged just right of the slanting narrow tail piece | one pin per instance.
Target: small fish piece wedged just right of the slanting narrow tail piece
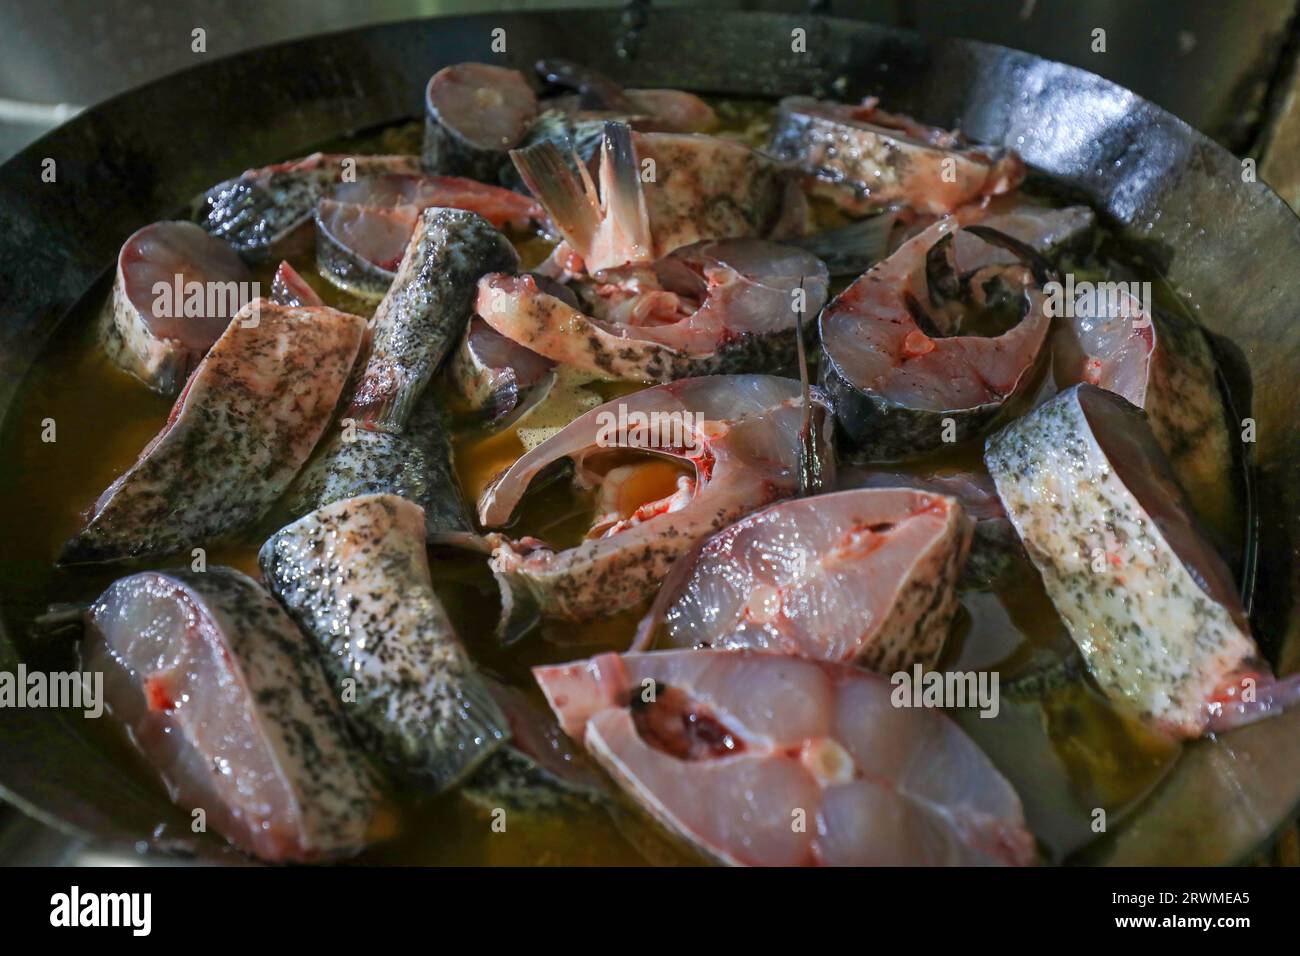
(495, 374)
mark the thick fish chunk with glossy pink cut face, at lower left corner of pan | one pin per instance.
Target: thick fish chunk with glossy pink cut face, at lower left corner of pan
(332, 790)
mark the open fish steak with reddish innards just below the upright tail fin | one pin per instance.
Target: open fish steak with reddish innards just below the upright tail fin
(716, 308)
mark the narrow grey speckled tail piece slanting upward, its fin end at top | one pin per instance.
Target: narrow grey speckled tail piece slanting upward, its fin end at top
(426, 312)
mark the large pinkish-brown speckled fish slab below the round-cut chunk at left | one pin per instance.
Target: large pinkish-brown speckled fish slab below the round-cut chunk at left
(245, 425)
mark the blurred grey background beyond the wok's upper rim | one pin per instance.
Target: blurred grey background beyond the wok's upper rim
(1224, 66)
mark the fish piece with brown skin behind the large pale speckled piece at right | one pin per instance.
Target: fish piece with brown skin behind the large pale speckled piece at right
(1163, 364)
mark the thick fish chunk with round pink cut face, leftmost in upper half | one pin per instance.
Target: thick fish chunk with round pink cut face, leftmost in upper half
(162, 357)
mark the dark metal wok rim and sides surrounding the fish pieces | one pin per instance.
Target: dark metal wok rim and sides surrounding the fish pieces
(1228, 243)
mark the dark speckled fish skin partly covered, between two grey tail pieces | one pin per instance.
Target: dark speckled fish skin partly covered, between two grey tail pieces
(414, 465)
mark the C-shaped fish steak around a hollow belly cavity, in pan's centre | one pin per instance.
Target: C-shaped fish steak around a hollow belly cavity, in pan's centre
(752, 460)
